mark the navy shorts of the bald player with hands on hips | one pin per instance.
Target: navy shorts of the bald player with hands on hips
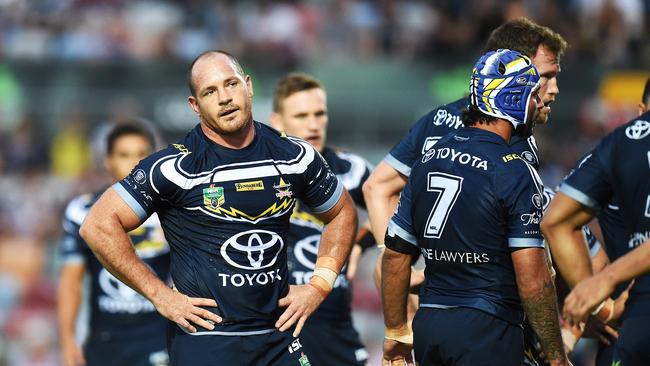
(274, 348)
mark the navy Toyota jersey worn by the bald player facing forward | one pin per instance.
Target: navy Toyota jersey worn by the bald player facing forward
(226, 213)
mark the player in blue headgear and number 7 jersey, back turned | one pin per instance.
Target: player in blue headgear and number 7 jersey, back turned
(462, 210)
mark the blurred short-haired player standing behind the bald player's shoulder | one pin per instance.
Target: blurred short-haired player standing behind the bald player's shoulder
(300, 109)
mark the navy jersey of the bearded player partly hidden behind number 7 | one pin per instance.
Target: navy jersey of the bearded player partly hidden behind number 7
(433, 126)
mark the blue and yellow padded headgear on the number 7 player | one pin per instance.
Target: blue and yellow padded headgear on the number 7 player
(502, 83)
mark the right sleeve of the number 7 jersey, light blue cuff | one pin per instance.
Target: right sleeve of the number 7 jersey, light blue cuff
(521, 191)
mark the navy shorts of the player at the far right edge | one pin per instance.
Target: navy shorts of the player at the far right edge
(633, 345)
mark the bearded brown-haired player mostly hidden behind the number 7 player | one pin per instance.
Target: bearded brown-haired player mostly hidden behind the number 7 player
(381, 191)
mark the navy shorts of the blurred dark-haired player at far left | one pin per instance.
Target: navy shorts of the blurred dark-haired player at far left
(136, 348)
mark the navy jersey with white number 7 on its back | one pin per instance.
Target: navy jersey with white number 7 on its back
(469, 202)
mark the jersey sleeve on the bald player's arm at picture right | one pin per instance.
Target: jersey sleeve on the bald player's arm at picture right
(323, 189)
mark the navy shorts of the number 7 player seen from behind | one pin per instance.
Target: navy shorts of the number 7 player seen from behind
(465, 336)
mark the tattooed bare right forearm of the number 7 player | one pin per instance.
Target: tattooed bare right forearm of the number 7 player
(538, 298)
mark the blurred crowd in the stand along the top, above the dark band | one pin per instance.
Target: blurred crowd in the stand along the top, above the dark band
(296, 31)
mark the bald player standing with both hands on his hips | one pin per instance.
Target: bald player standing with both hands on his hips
(224, 195)
